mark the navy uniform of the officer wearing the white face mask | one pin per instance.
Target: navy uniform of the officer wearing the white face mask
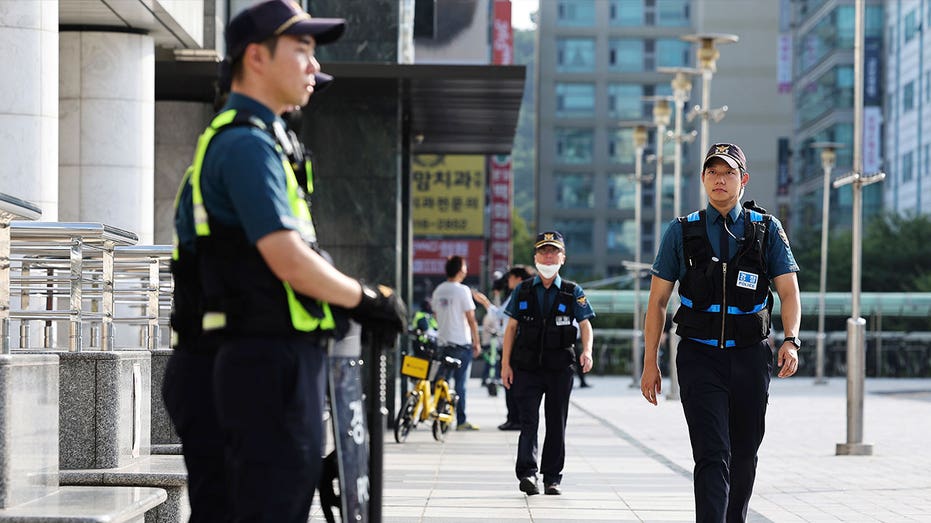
(542, 358)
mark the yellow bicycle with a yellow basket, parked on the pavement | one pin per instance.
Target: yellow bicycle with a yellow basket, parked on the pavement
(422, 403)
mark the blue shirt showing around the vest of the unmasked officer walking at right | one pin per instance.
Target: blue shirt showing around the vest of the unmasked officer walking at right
(670, 263)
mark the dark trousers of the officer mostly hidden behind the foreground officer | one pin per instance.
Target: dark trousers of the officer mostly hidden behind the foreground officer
(187, 389)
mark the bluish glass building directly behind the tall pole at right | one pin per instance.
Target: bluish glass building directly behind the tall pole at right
(823, 82)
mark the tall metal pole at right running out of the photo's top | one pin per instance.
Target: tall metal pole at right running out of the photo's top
(856, 326)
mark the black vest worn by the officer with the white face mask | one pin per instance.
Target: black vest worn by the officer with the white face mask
(547, 341)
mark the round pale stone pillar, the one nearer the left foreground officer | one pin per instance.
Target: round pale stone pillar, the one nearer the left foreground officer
(107, 120)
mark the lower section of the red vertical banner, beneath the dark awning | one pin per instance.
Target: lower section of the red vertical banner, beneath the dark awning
(500, 187)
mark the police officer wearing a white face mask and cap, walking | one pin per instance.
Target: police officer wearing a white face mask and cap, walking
(538, 360)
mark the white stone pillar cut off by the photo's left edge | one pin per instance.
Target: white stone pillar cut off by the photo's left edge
(29, 104)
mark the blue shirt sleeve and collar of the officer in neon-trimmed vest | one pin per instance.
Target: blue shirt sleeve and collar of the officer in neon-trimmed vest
(243, 179)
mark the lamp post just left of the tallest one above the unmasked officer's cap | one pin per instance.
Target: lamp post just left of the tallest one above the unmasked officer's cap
(681, 90)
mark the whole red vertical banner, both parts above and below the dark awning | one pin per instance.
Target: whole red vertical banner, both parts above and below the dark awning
(499, 170)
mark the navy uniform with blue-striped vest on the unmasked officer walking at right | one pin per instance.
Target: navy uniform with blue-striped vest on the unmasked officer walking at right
(724, 265)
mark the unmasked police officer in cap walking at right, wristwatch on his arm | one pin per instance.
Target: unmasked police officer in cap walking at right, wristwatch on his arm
(725, 258)
